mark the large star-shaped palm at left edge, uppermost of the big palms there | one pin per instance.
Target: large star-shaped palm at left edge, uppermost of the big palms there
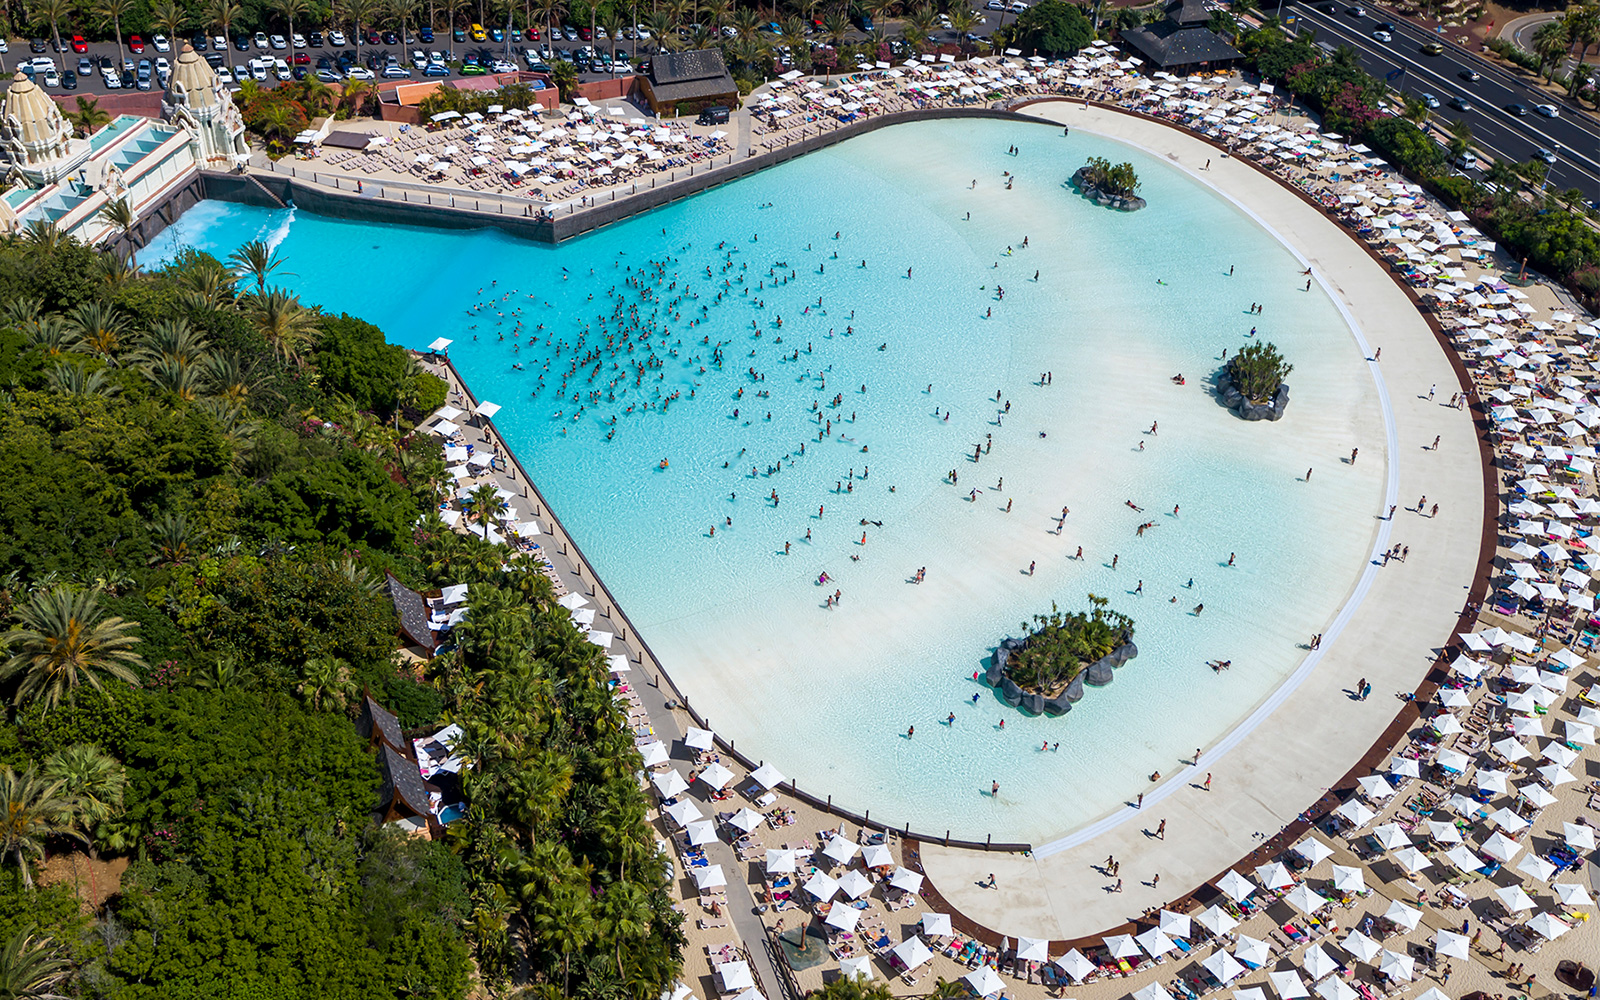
(66, 641)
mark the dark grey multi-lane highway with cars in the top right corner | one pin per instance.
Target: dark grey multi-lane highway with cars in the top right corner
(1574, 138)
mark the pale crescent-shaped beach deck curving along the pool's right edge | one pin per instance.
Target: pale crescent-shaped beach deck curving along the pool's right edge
(1308, 735)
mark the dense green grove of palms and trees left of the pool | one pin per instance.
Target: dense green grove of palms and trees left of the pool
(206, 482)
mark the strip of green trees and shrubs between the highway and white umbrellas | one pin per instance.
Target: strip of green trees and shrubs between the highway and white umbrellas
(1545, 228)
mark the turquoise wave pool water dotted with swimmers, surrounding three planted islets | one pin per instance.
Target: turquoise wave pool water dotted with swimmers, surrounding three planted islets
(1122, 303)
